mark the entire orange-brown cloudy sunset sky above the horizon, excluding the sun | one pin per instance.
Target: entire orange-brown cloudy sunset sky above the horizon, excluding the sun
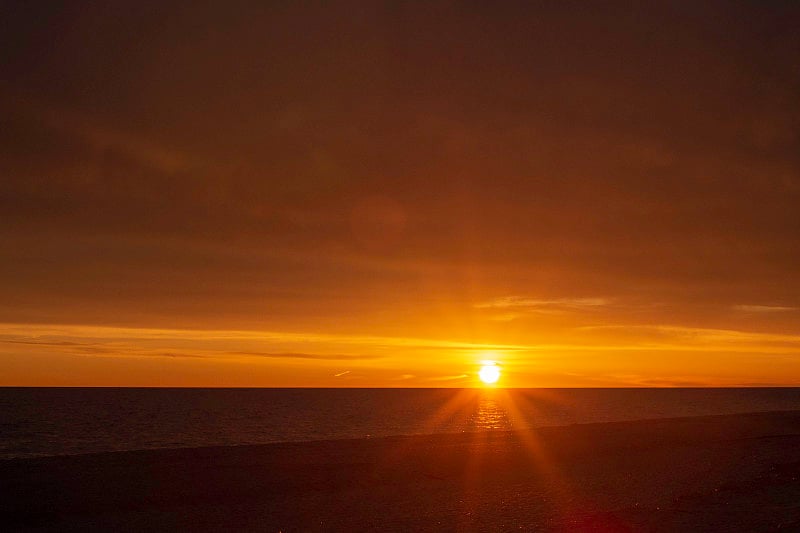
(385, 194)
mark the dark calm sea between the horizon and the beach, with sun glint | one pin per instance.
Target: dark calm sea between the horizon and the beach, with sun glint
(52, 421)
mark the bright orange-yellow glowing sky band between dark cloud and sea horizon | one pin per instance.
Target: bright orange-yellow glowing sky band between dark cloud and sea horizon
(67, 355)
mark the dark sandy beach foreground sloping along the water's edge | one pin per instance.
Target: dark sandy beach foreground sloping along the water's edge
(722, 473)
